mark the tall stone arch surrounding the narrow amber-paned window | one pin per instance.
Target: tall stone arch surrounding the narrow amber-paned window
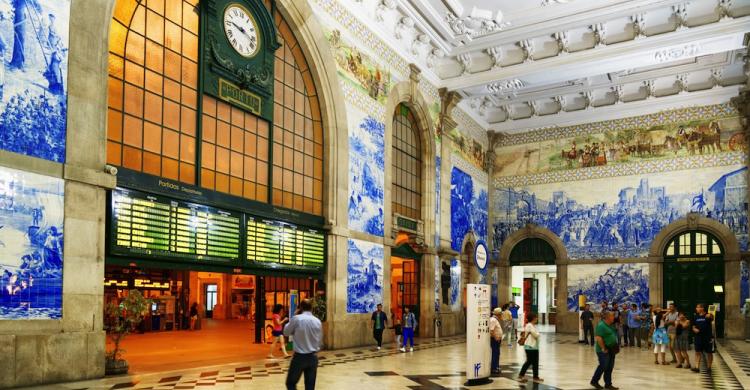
(406, 92)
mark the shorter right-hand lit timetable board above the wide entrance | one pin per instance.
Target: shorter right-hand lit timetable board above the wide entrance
(275, 242)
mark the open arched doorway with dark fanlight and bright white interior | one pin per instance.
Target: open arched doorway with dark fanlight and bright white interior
(534, 278)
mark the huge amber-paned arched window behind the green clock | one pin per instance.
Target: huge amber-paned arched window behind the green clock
(160, 125)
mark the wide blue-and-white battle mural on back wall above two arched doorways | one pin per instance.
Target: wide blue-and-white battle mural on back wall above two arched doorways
(619, 217)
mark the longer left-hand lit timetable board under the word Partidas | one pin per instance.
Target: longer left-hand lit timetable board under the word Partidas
(158, 227)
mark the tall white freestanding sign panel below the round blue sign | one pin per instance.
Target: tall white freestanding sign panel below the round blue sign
(478, 351)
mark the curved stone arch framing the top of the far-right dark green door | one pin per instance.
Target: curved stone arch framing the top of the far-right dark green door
(691, 222)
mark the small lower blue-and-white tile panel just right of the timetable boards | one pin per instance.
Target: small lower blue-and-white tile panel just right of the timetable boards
(364, 287)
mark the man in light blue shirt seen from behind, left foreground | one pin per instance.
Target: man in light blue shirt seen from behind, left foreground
(307, 332)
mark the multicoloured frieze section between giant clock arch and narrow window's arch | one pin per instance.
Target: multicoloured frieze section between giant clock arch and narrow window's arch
(359, 70)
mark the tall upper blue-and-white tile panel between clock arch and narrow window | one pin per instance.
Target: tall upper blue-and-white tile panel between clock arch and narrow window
(367, 176)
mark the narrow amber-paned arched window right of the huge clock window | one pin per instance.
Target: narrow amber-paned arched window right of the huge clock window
(407, 165)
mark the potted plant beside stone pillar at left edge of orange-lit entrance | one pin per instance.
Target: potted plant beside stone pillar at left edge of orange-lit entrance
(120, 320)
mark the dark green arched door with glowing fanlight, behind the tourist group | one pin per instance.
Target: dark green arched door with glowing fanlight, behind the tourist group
(694, 273)
